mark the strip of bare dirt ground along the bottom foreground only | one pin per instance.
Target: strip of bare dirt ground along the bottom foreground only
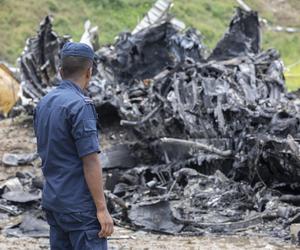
(128, 240)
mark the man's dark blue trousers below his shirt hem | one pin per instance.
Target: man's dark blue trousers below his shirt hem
(75, 231)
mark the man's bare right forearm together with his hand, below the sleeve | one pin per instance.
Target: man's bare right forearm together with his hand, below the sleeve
(93, 176)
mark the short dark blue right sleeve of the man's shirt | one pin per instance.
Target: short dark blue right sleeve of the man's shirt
(84, 130)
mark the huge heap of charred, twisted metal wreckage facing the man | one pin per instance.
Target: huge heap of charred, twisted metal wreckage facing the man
(191, 143)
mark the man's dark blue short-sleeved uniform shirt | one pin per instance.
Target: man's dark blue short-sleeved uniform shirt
(65, 125)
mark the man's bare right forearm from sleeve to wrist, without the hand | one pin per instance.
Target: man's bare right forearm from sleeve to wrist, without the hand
(93, 176)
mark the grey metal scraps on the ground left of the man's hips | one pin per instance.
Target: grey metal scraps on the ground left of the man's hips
(20, 202)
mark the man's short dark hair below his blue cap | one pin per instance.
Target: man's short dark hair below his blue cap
(74, 66)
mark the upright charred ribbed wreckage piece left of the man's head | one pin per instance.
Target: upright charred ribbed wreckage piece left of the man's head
(39, 62)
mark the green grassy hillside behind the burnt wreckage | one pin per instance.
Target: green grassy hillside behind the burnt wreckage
(19, 20)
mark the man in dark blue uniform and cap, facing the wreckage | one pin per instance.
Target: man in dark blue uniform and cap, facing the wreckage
(67, 141)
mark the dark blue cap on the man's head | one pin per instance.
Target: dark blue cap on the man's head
(77, 49)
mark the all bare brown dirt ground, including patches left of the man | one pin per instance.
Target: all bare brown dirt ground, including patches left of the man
(17, 136)
